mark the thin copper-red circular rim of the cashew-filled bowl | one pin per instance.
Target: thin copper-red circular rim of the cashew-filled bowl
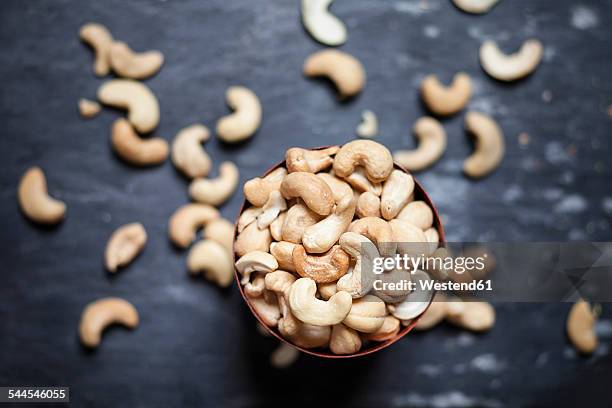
(419, 192)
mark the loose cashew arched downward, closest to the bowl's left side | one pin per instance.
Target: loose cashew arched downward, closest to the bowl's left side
(212, 259)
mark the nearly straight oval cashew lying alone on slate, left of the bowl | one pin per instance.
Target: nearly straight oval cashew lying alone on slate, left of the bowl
(124, 245)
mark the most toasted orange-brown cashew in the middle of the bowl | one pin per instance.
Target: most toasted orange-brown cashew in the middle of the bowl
(324, 268)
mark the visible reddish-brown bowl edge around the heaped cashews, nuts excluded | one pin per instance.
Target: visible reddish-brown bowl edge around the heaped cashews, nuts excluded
(419, 194)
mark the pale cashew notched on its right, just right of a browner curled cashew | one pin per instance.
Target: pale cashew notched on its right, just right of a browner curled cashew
(188, 155)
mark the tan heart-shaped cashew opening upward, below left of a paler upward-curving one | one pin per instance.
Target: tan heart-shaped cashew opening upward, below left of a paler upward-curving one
(443, 100)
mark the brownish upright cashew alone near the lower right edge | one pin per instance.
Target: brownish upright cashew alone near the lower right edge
(581, 327)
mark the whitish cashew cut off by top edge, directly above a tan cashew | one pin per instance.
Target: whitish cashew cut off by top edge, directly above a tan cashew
(322, 25)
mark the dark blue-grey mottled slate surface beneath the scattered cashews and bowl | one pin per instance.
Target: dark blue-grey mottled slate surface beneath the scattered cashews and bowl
(197, 345)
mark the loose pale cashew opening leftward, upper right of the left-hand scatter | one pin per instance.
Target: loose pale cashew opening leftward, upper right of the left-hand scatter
(246, 118)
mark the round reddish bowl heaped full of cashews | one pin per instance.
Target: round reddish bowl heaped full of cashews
(297, 247)
